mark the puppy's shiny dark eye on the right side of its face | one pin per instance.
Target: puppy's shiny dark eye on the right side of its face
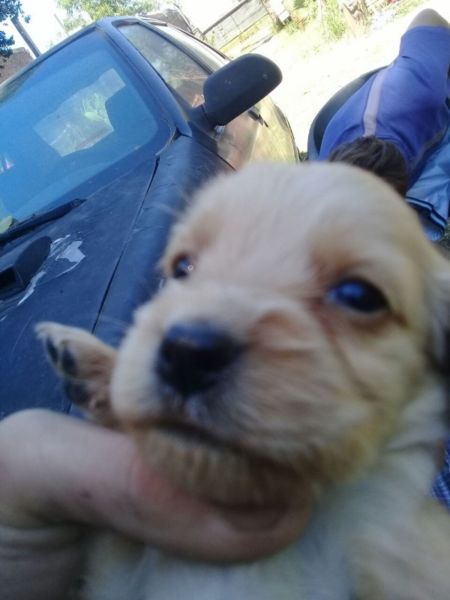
(358, 295)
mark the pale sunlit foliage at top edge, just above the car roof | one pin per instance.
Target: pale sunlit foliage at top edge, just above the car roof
(78, 10)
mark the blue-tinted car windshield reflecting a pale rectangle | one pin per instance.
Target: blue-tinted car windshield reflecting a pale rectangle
(75, 115)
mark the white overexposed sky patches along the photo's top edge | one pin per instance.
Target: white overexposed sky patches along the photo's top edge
(45, 30)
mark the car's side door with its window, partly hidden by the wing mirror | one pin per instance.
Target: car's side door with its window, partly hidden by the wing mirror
(184, 63)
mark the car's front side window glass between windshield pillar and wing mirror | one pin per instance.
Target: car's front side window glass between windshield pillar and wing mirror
(183, 74)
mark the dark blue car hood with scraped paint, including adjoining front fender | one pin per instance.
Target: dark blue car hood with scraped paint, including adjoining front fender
(101, 265)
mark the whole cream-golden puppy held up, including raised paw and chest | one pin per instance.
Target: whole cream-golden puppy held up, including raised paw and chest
(298, 350)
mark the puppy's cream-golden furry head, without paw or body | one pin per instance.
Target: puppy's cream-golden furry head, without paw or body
(296, 325)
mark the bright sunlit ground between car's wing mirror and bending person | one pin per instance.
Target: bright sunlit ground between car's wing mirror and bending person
(310, 80)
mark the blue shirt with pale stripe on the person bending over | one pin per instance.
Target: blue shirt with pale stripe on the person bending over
(405, 103)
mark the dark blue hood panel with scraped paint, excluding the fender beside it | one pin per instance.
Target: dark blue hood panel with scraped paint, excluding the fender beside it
(69, 286)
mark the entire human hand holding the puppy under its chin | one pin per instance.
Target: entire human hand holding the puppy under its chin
(60, 476)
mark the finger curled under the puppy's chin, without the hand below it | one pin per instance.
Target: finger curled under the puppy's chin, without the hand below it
(68, 469)
